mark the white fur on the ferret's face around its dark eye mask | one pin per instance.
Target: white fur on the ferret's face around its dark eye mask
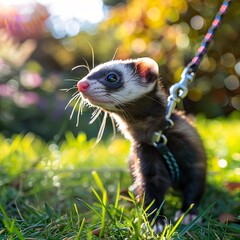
(132, 89)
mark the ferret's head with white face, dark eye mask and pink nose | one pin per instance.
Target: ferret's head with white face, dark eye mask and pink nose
(117, 83)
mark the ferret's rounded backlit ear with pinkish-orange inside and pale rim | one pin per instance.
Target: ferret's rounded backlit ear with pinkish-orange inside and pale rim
(147, 69)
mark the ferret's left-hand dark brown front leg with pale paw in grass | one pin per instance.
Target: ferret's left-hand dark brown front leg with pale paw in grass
(156, 181)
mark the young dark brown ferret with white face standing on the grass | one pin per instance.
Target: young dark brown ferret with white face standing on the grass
(131, 92)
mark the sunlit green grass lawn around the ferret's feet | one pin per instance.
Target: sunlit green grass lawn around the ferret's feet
(72, 190)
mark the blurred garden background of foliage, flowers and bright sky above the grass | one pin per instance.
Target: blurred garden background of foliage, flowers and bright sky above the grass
(42, 40)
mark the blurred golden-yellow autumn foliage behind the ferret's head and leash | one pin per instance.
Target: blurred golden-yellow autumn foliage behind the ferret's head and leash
(171, 32)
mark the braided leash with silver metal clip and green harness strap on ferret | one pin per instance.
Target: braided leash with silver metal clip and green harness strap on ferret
(179, 91)
